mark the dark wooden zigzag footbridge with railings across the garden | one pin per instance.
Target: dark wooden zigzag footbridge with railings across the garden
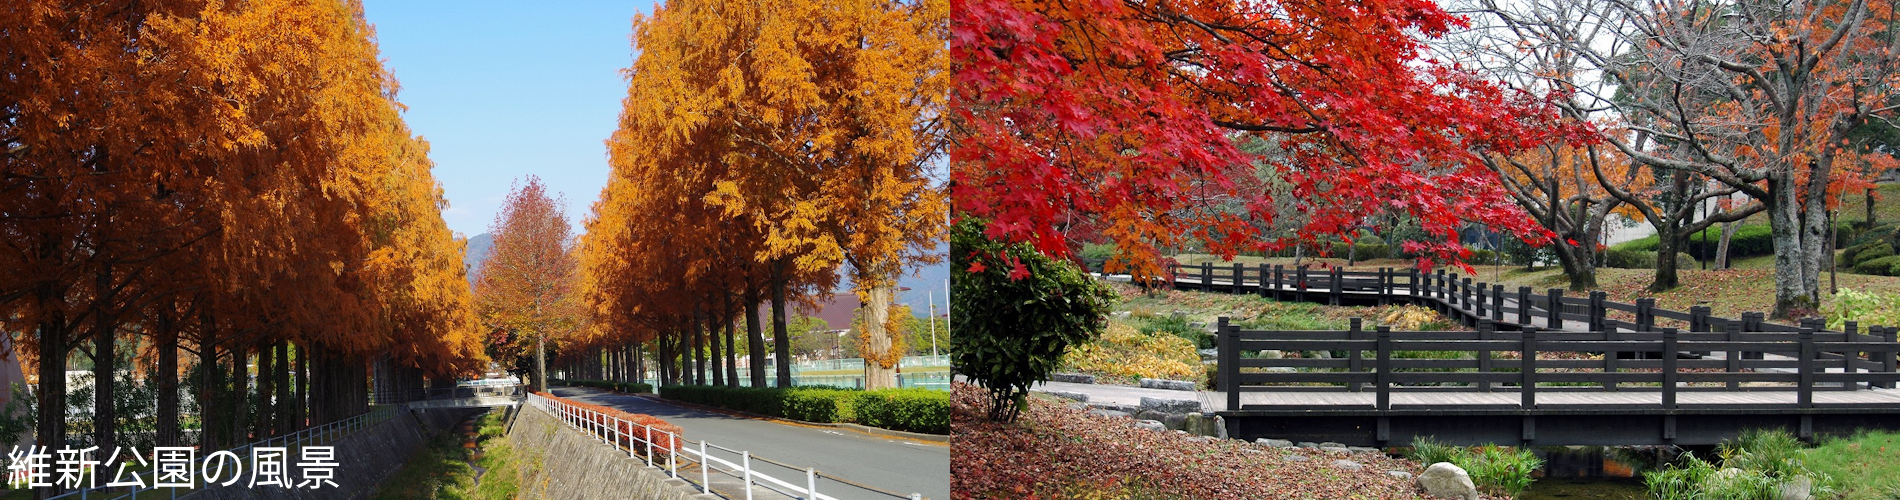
(1538, 370)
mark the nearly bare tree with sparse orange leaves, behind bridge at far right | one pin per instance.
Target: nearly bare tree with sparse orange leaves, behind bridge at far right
(1758, 96)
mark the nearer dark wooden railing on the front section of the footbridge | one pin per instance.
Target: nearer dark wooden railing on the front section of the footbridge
(1375, 364)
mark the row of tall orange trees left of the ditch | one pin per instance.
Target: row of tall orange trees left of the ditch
(221, 185)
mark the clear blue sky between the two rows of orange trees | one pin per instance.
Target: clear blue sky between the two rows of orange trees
(504, 90)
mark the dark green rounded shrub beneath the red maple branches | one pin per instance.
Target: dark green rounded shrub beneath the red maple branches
(1033, 307)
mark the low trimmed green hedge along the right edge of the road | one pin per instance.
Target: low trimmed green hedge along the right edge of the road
(894, 410)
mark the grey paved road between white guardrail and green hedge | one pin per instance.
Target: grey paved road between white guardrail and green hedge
(892, 465)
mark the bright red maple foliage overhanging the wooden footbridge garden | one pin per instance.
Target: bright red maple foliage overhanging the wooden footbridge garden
(1122, 115)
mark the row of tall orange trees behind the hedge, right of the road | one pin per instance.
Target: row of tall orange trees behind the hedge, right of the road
(767, 149)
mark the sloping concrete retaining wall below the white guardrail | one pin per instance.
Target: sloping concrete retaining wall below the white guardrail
(569, 465)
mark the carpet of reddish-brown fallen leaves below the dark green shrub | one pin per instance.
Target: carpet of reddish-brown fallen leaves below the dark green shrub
(1057, 452)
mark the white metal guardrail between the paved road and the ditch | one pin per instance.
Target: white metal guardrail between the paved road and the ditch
(634, 438)
